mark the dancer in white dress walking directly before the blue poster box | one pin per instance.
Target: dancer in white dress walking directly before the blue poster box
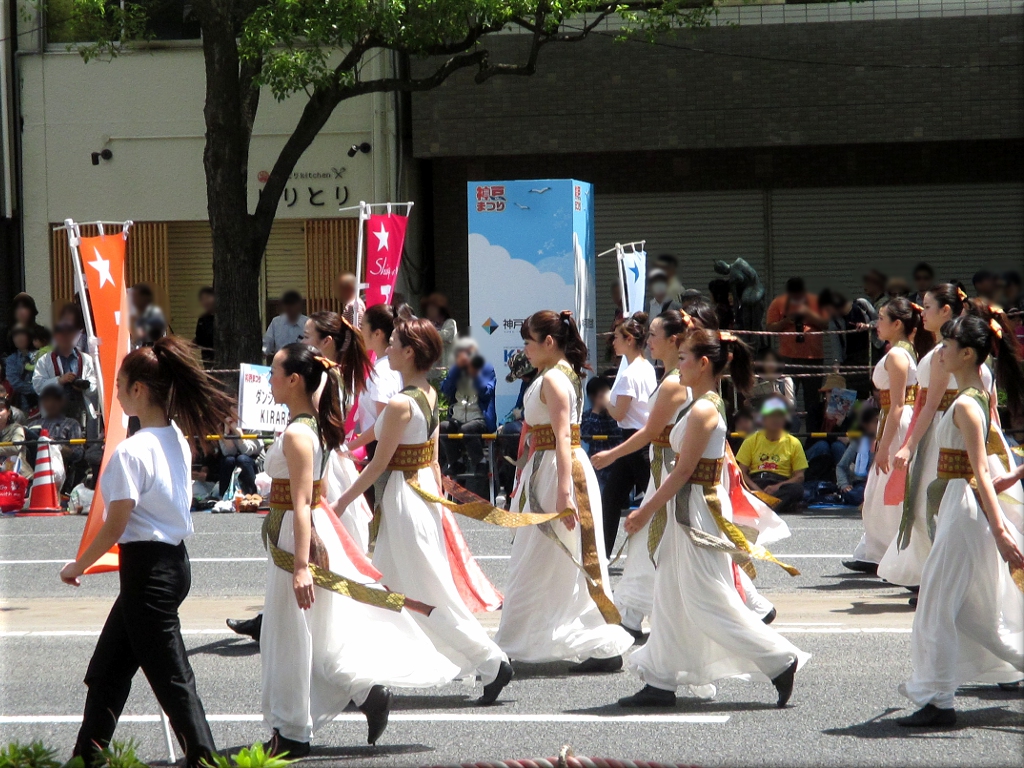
(558, 601)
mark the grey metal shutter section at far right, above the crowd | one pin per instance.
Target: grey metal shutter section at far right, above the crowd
(832, 237)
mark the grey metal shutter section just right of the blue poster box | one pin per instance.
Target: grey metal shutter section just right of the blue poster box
(697, 228)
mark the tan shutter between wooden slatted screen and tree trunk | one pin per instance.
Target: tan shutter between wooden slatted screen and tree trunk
(190, 267)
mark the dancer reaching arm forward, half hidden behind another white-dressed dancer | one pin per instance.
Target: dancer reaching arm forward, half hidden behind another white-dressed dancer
(634, 594)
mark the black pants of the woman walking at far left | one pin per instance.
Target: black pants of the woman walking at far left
(143, 631)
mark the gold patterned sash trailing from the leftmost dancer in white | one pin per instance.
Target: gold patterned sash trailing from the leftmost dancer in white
(322, 574)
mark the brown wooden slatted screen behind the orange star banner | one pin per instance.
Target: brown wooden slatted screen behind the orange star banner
(146, 261)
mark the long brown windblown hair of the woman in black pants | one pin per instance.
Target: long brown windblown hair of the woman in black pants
(172, 371)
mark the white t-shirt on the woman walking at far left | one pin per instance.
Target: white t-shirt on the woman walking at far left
(154, 470)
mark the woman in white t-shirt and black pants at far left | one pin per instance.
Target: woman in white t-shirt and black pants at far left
(148, 489)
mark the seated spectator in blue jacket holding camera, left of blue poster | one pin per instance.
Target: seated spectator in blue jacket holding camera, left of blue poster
(470, 389)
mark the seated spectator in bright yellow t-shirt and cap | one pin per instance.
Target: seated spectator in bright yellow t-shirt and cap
(774, 460)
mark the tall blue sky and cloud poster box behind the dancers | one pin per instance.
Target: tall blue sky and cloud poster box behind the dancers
(531, 248)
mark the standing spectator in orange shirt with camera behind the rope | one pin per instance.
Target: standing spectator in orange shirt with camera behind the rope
(797, 312)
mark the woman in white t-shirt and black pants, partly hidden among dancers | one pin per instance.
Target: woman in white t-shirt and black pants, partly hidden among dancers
(632, 390)
